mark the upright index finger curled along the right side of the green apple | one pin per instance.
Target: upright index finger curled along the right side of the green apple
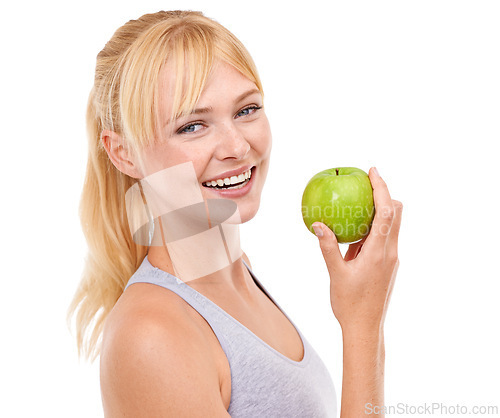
(384, 210)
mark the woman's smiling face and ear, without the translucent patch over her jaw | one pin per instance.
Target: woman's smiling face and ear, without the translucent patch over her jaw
(228, 131)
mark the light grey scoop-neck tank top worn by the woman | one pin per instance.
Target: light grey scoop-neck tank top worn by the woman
(264, 382)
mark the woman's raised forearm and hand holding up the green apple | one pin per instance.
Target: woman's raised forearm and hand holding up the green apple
(360, 290)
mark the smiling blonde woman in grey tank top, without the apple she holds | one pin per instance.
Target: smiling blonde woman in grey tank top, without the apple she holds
(176, 90)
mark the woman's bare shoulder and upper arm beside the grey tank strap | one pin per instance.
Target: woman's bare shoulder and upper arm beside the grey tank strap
(155, 361)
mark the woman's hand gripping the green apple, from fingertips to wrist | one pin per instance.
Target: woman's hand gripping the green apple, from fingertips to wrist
(362, 281)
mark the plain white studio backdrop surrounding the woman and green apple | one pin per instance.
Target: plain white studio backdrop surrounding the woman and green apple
(411, 87)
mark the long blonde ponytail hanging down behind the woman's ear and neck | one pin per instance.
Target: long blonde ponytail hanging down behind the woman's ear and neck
(112, 255)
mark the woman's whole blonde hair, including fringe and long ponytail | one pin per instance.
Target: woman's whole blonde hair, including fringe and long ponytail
(124, 99)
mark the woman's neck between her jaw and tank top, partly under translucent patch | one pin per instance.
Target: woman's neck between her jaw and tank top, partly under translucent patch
(201, 246)
